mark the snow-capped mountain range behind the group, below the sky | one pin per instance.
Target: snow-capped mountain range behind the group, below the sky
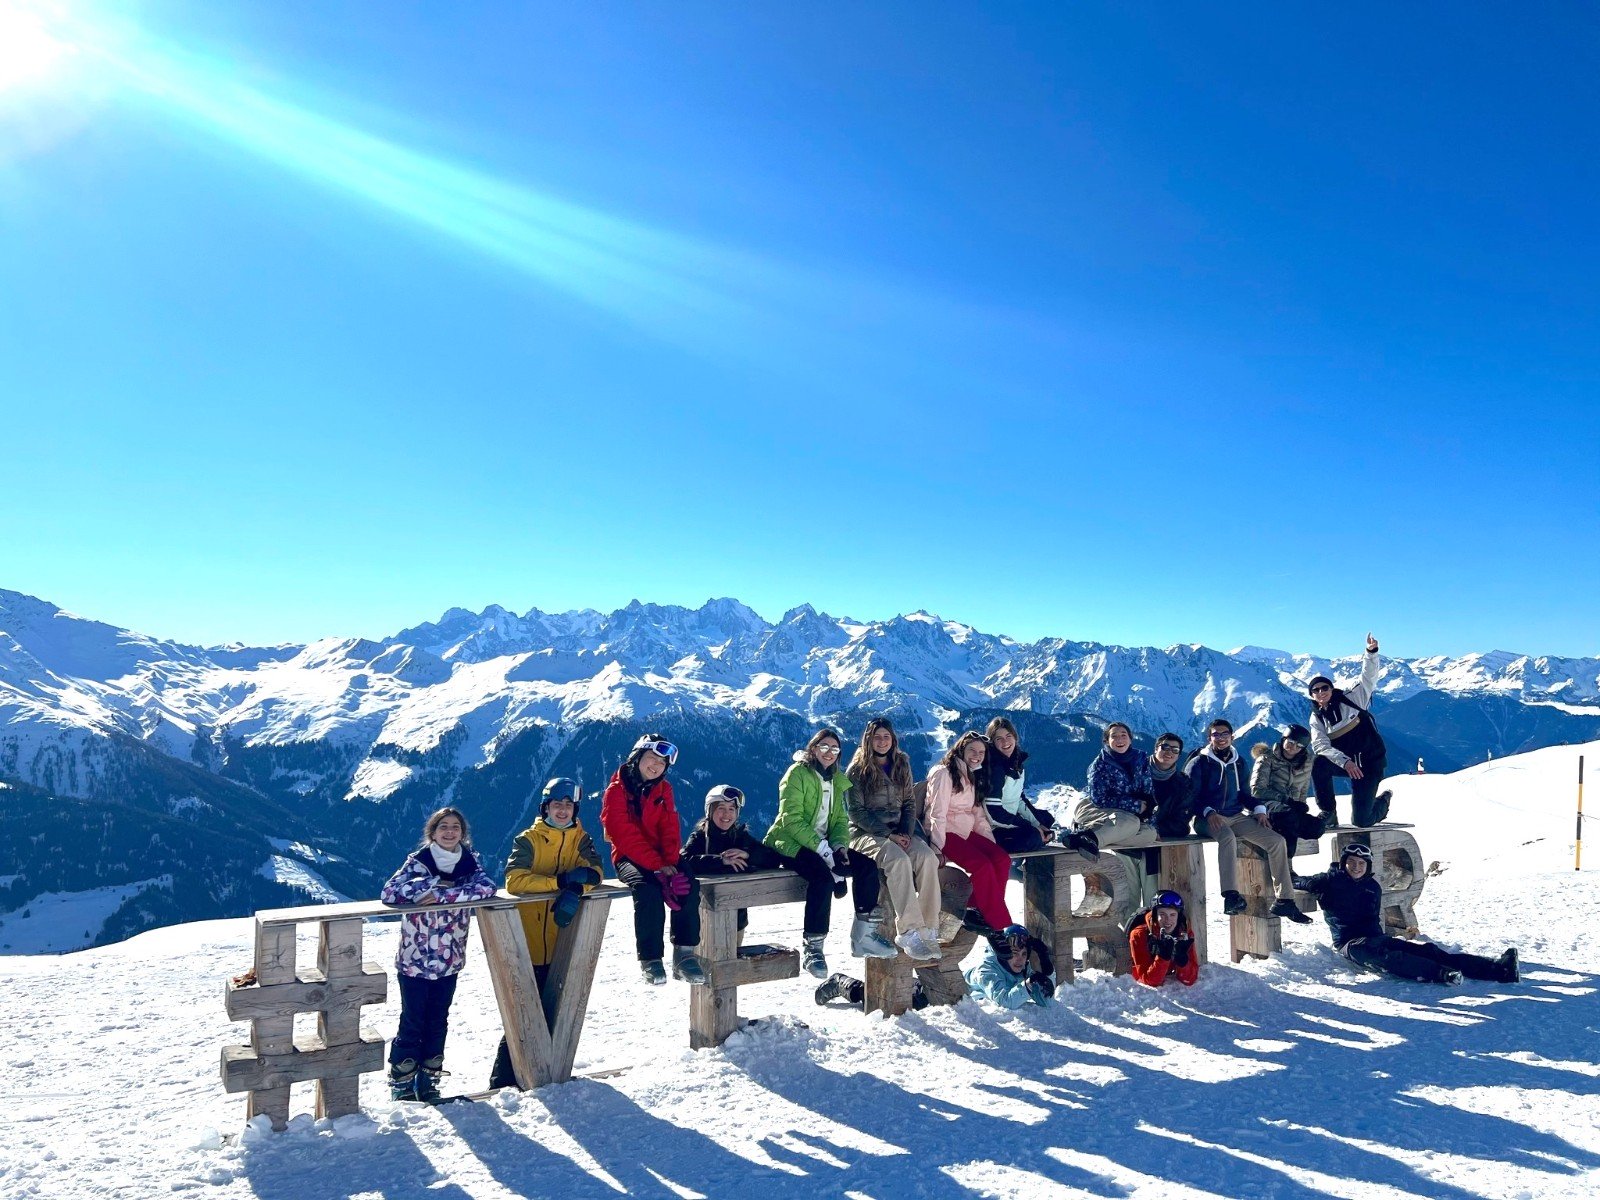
(343, 745)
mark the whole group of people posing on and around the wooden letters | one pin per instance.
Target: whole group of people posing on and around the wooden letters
(862, 830)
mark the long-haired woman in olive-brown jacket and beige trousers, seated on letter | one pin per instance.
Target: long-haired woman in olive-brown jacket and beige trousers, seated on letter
(884, 833)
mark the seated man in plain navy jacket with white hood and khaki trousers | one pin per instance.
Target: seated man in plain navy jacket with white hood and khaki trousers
(1226, 810)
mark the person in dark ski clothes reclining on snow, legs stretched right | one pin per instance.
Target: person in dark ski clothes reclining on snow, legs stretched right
(1351, 900)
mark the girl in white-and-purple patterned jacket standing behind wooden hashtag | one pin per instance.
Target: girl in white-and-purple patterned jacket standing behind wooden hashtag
(433, 950)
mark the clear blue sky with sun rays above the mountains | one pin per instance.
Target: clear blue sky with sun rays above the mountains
(1126, 324)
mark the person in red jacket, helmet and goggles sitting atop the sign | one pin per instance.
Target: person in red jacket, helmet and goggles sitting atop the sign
(641, 822)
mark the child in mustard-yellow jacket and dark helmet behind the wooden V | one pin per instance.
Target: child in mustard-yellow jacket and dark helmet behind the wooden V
(553, 855)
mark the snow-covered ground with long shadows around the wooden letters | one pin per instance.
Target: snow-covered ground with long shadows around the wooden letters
(1295, 1078)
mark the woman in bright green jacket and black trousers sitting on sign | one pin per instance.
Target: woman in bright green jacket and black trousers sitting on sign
(812, 833)
